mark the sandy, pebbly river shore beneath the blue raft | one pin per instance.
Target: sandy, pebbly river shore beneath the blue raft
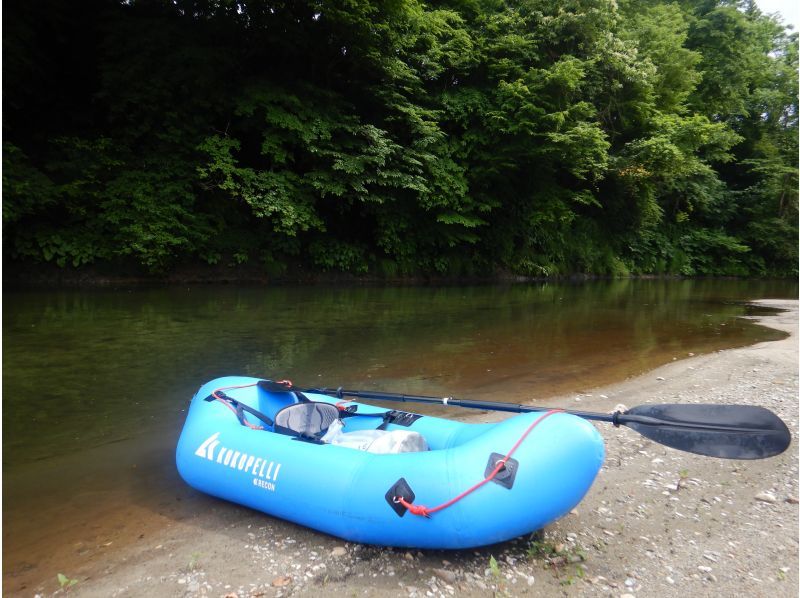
(657, 522)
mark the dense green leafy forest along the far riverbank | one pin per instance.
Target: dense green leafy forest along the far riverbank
(462, 138)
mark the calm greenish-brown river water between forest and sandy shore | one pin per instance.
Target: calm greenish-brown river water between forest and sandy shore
(96, 383)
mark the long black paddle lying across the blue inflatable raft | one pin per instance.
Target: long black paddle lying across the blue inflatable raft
(725, 431)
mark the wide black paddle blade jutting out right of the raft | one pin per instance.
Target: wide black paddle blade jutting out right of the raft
(725, 431)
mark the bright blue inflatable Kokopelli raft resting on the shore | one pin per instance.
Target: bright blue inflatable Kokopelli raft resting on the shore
(248, 443)
